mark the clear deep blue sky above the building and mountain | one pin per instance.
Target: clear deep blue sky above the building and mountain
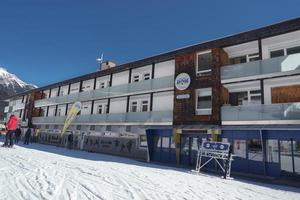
(45, 41)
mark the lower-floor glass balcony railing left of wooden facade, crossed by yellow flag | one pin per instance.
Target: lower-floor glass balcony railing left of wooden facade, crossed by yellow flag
(137, 118)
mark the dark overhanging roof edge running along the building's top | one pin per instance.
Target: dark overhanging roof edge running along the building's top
(243, 37)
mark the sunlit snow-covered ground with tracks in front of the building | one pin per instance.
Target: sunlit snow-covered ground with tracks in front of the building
(46, 172)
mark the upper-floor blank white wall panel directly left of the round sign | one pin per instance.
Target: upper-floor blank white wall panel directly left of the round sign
(166, 68)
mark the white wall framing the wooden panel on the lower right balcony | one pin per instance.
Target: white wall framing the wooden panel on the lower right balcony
(277, 82)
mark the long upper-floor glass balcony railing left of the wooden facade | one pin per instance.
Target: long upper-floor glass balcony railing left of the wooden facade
(114, 91)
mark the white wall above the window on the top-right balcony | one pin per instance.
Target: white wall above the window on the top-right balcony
(279, 42)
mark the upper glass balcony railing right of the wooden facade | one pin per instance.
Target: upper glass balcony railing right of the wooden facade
(262, 68)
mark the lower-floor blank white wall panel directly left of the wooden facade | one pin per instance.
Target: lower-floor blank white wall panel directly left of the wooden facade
(163, 101)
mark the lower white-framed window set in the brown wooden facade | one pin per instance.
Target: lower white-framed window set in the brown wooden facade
(204, 103)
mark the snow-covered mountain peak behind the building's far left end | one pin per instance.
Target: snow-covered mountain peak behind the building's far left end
(10, 84)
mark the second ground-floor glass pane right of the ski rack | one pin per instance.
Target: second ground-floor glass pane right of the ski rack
(255, 150)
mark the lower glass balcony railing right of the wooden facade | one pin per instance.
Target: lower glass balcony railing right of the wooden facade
(288, 113)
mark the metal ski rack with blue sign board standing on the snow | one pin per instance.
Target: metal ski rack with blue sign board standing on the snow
(215, 151)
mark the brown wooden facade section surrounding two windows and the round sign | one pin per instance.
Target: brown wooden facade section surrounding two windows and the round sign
(185, 109)
